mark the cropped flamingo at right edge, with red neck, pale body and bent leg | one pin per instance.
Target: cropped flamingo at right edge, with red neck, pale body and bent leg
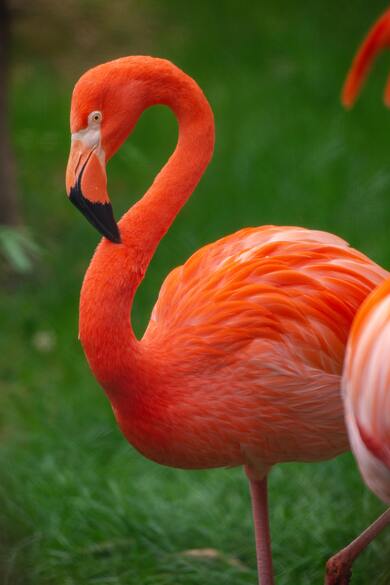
(366, 374)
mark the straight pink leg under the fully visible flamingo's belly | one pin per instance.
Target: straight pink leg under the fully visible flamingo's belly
(258, 490)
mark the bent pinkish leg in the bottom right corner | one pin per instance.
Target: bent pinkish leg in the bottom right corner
(338, 567)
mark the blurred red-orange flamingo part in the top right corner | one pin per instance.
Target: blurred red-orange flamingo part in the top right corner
(376, 40)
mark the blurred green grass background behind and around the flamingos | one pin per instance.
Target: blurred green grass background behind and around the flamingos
(78, 506)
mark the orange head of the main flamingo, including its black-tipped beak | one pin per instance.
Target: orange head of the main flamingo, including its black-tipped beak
(106, 104)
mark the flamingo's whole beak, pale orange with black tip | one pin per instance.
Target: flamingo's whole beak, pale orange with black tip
(86, 186)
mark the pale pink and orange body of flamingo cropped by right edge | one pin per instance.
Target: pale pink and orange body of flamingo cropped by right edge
(366, 383)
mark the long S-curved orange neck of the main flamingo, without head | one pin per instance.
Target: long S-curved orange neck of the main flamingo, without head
(116, 357)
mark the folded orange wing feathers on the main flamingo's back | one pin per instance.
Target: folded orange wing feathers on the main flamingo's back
(288, 284)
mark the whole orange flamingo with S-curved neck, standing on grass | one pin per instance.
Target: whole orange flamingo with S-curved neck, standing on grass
(240, 364)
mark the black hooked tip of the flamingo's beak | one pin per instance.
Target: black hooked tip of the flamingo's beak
(100, 215)
